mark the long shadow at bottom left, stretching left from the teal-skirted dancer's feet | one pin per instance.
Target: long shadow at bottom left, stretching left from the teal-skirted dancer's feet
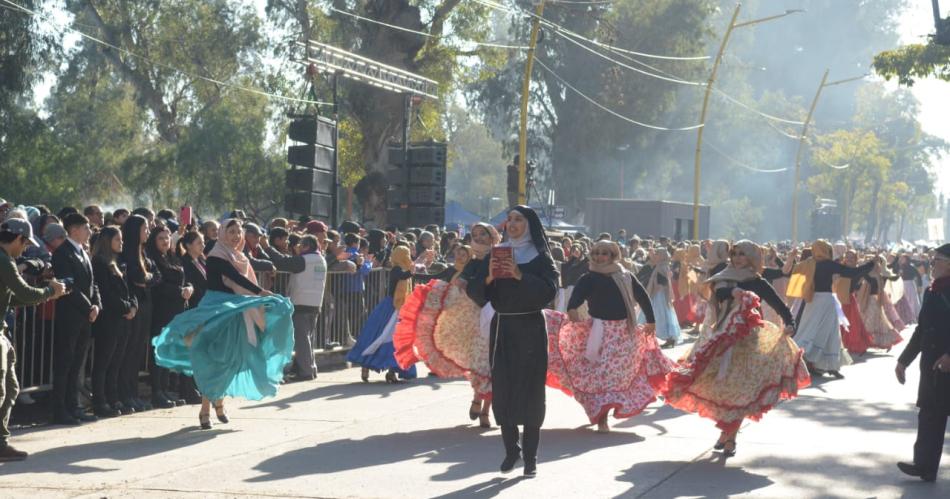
(64, 459)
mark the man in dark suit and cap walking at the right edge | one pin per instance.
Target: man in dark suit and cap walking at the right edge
(931, 340)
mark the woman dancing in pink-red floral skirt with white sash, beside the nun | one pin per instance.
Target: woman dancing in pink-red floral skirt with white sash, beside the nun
(608, 362)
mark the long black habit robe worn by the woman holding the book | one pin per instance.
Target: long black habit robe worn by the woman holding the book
(518, 349)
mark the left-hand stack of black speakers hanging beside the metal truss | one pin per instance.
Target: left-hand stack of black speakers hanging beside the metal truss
(310, 181)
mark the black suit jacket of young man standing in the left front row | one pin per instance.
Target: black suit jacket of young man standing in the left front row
(75, 306)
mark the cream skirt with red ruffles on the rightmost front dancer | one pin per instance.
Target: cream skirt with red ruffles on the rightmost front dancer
(738, 370)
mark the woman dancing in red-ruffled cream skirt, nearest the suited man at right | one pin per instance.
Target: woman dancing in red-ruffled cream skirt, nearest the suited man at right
(742, 366)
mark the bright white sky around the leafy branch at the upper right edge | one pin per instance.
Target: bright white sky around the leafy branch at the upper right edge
(933, 94)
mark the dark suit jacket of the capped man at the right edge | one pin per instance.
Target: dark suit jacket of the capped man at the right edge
(931, 340)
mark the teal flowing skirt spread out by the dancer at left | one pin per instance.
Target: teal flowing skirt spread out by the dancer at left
(210, 342)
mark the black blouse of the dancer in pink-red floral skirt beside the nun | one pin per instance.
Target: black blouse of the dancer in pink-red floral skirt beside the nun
(605, 301)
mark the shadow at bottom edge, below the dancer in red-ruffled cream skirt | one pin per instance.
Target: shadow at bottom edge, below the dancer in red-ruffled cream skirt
(706, 478)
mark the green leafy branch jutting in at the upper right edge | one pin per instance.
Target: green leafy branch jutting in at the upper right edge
(913, 62)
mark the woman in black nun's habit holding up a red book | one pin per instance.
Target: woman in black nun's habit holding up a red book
(518, 285)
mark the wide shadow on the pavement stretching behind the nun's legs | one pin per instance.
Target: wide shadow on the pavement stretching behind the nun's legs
(468, 453)
